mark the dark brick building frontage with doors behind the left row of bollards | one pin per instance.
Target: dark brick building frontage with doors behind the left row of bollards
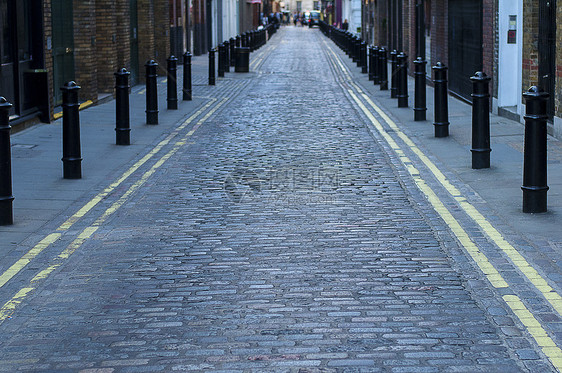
(82, 40)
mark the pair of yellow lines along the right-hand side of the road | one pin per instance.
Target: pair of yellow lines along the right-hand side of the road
(534, 327)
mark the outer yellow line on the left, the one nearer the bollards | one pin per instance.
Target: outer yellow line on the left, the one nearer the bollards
(53, 237)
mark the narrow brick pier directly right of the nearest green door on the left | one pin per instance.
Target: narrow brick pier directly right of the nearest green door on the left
(84, 52)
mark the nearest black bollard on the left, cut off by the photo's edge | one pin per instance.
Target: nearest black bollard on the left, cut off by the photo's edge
(6, 198)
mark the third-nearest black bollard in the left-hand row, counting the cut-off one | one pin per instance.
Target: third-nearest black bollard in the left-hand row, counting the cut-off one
(122, 119)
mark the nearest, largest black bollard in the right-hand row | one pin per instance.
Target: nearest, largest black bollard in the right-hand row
(534, 157)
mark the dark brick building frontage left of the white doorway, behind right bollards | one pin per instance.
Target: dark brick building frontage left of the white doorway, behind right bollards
(459, 33)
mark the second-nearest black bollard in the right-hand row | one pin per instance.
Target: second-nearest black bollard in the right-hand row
(480, 121)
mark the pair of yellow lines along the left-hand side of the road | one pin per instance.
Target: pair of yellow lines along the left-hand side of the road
(7, 310)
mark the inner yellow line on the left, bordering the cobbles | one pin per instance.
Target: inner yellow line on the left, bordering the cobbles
(9, 307)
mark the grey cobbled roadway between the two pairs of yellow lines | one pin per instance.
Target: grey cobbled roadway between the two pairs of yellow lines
(280, 238)
